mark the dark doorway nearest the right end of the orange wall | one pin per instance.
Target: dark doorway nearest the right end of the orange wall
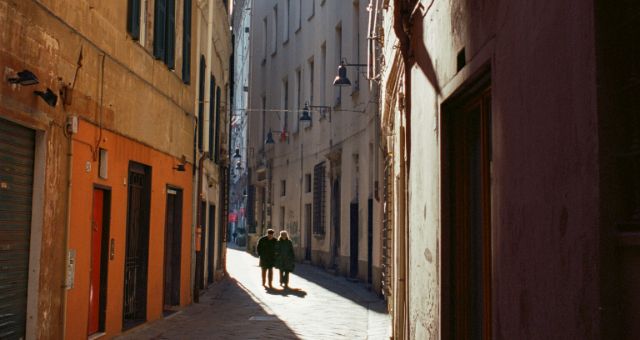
(172, 248)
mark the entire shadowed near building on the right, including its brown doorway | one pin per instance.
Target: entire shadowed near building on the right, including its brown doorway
(508, 135)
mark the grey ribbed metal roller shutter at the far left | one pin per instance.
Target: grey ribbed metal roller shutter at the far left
(16, 187)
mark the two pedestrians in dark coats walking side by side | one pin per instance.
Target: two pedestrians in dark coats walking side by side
(276, 253)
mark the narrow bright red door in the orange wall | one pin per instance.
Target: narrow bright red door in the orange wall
(96, 251)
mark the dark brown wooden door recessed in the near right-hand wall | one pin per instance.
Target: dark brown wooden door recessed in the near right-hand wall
(466, 155)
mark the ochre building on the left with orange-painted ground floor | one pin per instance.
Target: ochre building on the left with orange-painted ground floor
(98, 108)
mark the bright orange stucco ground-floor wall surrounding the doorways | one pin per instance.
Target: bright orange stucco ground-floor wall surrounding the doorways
(85, 177)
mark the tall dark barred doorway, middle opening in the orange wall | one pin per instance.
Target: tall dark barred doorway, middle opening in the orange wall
(137, 245)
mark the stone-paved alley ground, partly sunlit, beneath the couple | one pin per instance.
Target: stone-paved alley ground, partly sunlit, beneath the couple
(318, 306)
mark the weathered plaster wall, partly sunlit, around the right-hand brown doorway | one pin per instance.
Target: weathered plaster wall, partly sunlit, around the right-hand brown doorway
(544, 171)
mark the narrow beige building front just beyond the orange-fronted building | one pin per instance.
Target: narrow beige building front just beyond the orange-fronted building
(211, 149)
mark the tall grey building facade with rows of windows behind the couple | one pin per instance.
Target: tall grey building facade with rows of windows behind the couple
(317, 178)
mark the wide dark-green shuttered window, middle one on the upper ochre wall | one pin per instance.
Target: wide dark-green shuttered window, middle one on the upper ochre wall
(164, 32)
